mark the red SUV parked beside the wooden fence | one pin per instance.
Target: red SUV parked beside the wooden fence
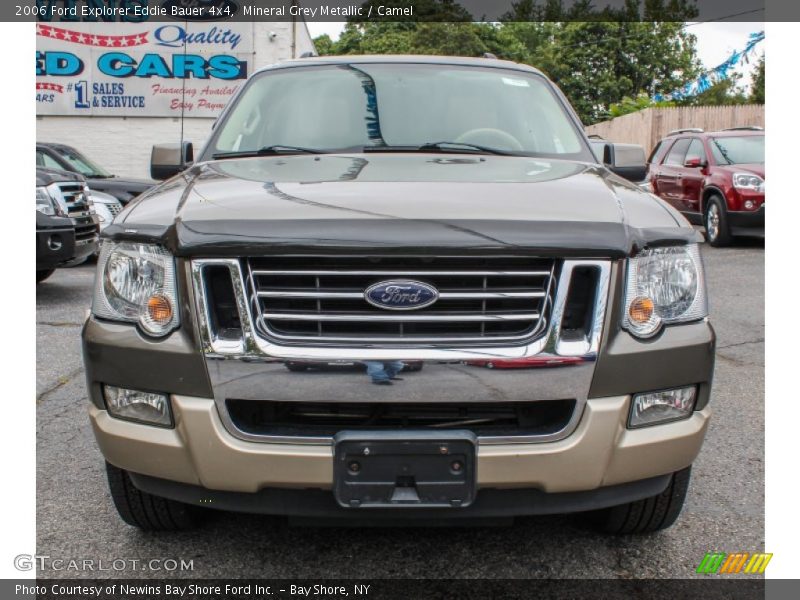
(714, 178)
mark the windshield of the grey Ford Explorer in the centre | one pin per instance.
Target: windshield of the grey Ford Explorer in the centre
(386, 106)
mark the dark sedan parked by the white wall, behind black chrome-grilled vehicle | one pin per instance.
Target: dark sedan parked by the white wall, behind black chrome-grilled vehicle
(67, 158)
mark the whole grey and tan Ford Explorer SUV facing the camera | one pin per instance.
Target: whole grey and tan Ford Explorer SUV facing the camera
(398, 288)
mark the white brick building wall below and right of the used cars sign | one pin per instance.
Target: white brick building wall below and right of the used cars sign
(122, 145)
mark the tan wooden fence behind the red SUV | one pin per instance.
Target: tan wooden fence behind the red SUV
(646, 127)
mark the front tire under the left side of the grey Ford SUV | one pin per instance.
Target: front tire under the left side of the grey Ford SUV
(148, 512)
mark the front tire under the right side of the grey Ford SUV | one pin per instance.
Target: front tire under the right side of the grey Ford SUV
(648, 515)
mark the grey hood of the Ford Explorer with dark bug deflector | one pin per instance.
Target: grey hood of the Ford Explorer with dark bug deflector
(400, 202)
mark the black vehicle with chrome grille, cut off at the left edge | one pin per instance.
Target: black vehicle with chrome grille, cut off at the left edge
(66, 229)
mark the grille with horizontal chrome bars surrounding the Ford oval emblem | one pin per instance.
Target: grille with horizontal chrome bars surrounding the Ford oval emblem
(481, 299)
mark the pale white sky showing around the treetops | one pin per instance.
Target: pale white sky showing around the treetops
(715, 41)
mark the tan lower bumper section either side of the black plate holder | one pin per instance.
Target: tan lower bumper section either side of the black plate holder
(199, 451)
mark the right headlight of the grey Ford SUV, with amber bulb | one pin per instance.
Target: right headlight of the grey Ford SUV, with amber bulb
(664, 285)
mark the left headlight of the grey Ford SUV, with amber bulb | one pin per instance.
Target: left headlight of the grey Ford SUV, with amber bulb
(136, 283)
